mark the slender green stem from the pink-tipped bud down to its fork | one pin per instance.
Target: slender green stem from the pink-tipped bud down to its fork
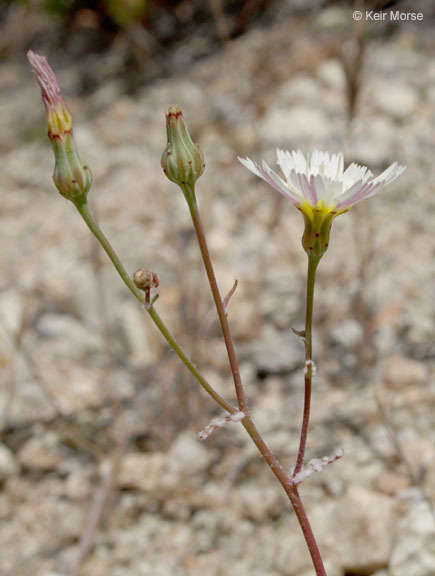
(86, 214)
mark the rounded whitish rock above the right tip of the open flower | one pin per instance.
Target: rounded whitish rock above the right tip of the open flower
(395, 98)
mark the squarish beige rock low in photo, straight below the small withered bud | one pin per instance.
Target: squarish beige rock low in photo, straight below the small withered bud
(141, 471)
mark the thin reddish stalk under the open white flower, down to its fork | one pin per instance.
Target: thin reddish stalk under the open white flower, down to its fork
(309, 366)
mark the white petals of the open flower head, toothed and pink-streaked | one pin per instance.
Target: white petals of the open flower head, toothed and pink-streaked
(320, 181)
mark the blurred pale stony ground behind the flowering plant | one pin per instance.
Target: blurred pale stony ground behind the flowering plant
(101, 469)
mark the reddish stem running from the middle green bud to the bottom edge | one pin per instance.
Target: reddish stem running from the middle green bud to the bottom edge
(286, 482)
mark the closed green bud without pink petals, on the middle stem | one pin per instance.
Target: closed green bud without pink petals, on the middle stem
(182, 160)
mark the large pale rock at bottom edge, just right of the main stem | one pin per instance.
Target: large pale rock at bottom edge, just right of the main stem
(357, 531)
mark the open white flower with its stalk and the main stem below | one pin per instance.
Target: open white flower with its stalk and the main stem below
(320, 188)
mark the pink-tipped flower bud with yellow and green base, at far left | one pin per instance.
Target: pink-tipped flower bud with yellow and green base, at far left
(71, 175)
